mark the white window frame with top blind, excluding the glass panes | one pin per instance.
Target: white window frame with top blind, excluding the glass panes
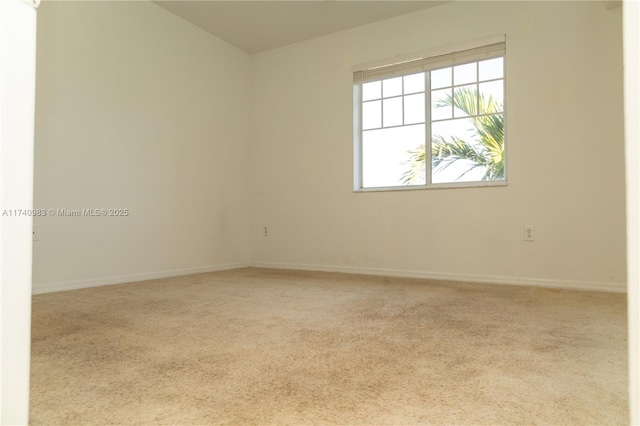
(473, 51)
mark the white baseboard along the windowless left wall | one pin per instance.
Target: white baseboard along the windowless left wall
(123, 279)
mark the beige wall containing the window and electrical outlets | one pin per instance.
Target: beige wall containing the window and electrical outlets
(565, 154)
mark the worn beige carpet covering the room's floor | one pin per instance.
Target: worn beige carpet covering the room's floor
(256, 346)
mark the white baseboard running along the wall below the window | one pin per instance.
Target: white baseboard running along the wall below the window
(612, 287)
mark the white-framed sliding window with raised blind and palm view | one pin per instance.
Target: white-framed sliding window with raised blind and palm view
(436, 121)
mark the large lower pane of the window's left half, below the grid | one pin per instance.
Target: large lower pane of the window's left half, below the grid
(387, 156)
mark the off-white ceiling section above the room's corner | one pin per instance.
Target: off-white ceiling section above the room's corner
(256, 26)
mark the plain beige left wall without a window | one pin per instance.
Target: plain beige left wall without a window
(141, 110)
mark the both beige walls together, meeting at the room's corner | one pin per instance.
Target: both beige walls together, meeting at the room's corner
(206, 145)
